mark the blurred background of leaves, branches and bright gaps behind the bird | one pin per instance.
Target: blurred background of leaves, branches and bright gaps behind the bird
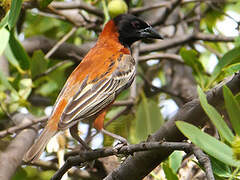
(33, 72)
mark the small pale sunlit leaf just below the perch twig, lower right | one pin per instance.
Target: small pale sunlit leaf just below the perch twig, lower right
(175, 160)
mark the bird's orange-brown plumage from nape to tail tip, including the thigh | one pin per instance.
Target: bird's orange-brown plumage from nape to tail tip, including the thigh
(99, 63)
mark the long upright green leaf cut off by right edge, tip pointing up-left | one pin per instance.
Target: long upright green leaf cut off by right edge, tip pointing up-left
(233, 109)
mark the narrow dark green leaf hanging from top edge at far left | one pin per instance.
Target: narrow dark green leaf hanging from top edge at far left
(14, 12)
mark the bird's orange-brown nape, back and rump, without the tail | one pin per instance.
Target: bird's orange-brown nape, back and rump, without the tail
(95, 65)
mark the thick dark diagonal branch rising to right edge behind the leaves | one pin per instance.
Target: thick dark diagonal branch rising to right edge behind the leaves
(139, 165)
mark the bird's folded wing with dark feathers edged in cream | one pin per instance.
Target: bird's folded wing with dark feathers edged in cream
(94, 96)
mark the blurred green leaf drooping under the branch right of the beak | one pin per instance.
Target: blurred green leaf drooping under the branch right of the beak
(190, 57)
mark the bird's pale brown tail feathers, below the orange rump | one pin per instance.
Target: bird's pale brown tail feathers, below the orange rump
(37, 148)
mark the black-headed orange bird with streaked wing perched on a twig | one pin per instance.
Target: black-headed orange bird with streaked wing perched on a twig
(106, 70)
